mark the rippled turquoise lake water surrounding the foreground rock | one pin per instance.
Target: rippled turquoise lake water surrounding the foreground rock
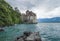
(48, 31)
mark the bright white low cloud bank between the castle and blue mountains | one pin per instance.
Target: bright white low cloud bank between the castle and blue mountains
(43, 13)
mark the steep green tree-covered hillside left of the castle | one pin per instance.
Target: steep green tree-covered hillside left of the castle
(8, 16)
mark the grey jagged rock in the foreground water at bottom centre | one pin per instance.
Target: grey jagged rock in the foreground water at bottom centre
(29, 36)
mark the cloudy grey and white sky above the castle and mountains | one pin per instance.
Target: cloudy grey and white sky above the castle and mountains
(42, 8)
